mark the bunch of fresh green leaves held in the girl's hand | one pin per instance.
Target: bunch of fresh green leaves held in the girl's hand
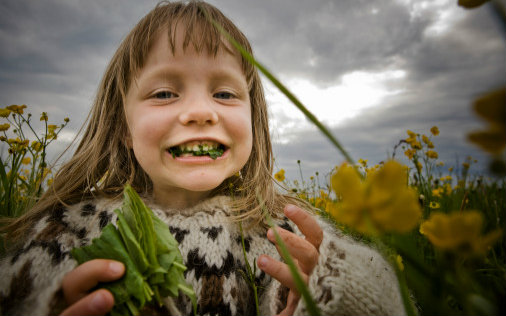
(144, 244)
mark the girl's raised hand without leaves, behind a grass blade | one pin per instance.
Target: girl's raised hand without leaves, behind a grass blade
(304, 252)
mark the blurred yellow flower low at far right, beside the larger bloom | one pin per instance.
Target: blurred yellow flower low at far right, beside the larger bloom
(459, 232)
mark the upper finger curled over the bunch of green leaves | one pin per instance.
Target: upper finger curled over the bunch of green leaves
(86, 276)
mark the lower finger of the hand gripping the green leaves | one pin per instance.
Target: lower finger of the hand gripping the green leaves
(99, 302)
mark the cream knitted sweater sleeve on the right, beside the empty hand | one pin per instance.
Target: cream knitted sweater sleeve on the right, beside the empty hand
(349, 279)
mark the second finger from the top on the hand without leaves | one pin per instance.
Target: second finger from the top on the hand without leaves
(302, 250)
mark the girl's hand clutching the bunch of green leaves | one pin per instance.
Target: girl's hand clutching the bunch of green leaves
(78, 282)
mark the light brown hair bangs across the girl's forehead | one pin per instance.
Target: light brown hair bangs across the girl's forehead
(193, 19)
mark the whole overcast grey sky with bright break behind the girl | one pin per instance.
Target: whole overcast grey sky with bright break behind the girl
(369, 69)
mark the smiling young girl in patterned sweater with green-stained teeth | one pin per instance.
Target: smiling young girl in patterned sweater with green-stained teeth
(181, 116)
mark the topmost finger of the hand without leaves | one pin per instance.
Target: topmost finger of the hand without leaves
(306, 223)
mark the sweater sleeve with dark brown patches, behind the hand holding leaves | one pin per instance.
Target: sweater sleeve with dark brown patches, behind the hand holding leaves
(32, 275)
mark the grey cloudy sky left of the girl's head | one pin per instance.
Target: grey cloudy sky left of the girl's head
(54, 52)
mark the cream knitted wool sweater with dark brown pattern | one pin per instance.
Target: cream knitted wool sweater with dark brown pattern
(349, 279)
